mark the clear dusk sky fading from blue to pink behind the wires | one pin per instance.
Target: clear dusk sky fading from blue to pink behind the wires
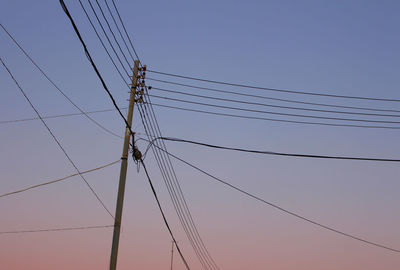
(331, 47)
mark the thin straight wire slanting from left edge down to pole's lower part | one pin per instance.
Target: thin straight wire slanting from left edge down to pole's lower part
(56, 140)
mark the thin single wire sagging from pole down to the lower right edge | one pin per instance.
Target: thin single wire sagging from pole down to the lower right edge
(283, 209)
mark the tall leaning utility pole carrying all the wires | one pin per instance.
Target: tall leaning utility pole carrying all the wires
(124, 166)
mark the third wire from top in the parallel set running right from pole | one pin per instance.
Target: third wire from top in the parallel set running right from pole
(271, 105)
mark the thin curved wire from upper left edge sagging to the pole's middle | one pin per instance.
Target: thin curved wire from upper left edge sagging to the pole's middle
(55, 85)
